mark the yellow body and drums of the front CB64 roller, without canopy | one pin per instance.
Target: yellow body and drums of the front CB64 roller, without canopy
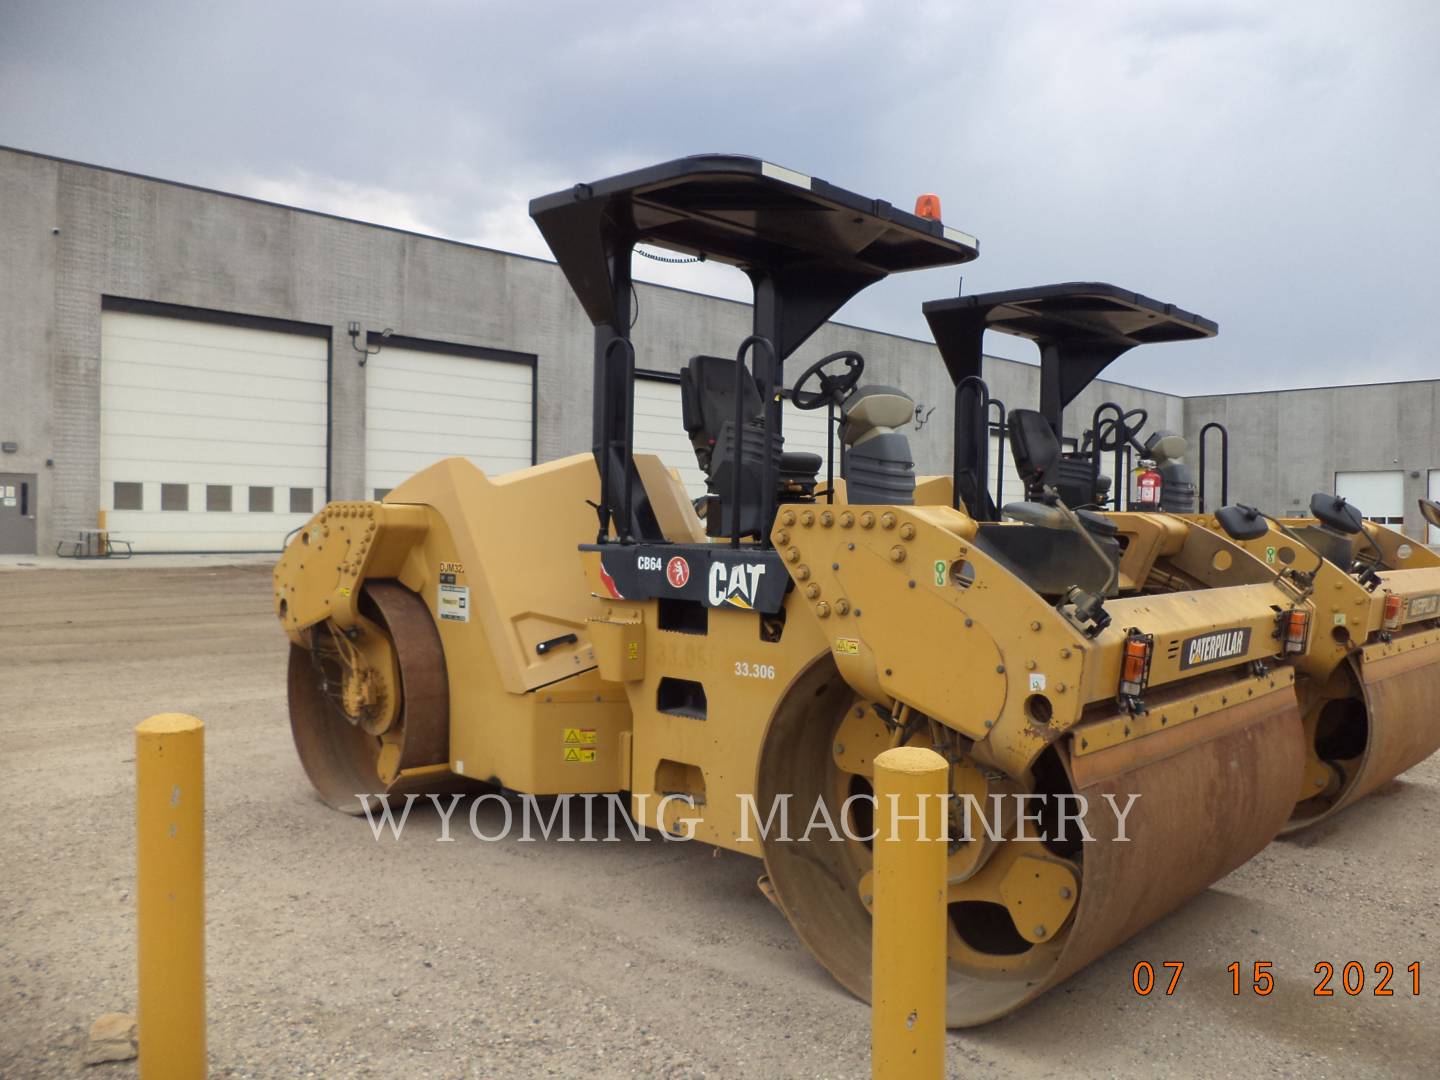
(898, 630)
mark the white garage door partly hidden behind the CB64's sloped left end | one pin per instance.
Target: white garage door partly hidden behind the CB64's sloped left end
(423, 407)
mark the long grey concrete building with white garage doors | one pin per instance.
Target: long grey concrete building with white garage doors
(208, 369)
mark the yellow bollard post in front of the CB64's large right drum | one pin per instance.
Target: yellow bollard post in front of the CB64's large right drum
(908, 970)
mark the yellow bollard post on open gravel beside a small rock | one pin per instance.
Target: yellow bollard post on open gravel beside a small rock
(171, 896)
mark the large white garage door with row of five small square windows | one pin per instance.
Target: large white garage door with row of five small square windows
(212, 437)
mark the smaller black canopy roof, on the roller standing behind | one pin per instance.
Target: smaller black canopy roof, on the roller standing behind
(1081, 328)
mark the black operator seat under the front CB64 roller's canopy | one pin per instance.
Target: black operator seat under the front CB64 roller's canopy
(708, 408)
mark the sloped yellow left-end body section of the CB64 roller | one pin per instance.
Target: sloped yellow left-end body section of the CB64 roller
(496, 567)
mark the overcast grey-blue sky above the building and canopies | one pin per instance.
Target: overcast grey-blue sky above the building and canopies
(1274, 166)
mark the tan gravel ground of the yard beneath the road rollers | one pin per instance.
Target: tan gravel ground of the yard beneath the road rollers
(333, 955)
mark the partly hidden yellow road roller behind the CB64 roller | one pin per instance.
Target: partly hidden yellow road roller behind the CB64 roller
(1372, 673)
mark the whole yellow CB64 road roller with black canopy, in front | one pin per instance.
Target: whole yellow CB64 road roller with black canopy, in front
(580, 629)
